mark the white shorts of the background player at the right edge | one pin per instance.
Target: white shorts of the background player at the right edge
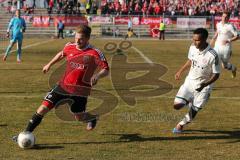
(224, 52)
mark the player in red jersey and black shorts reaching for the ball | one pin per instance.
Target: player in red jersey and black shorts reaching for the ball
(80, 75)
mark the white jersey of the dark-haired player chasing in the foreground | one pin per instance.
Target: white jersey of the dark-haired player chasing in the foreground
(204, 64)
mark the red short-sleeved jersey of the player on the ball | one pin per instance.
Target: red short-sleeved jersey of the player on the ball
(80, 67)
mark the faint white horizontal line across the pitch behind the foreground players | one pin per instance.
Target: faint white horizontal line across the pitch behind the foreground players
(166, 97)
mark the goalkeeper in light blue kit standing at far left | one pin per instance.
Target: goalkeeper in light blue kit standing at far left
(16, 26)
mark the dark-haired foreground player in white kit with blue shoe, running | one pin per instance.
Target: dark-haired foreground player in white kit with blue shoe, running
(204, 66)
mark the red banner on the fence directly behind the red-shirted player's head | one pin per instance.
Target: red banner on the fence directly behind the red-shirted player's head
(70, 21)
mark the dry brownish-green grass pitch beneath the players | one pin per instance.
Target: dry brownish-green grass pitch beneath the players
(141, 131)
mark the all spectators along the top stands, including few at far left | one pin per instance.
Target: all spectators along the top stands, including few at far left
(134, 7)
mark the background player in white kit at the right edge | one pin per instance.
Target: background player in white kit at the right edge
(225, 34)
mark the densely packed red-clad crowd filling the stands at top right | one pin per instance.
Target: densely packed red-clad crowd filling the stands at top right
(170, 7)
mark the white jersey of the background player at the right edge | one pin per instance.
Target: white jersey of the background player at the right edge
(225, 32)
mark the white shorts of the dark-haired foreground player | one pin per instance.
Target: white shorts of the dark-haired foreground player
(187, 93)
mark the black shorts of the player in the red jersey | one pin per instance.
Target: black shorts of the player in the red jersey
(57, 96)
